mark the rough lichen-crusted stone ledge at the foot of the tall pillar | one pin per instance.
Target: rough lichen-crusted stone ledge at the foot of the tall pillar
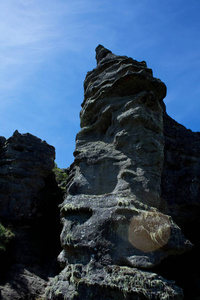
(112, 282)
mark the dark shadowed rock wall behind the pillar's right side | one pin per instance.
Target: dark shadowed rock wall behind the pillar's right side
(181, 172)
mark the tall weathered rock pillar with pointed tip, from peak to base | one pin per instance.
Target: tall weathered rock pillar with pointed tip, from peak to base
(118, 212)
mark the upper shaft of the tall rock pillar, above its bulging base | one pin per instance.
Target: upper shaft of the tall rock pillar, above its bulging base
(120, 146)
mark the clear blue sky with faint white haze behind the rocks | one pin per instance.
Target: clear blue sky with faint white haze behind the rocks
(47, 47)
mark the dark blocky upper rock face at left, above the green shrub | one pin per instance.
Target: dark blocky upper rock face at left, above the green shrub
(25, 162)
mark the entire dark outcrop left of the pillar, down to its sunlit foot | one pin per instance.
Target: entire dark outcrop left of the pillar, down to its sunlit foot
(29, 198)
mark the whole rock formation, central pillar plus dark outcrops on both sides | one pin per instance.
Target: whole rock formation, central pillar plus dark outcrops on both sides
(130, 214)
